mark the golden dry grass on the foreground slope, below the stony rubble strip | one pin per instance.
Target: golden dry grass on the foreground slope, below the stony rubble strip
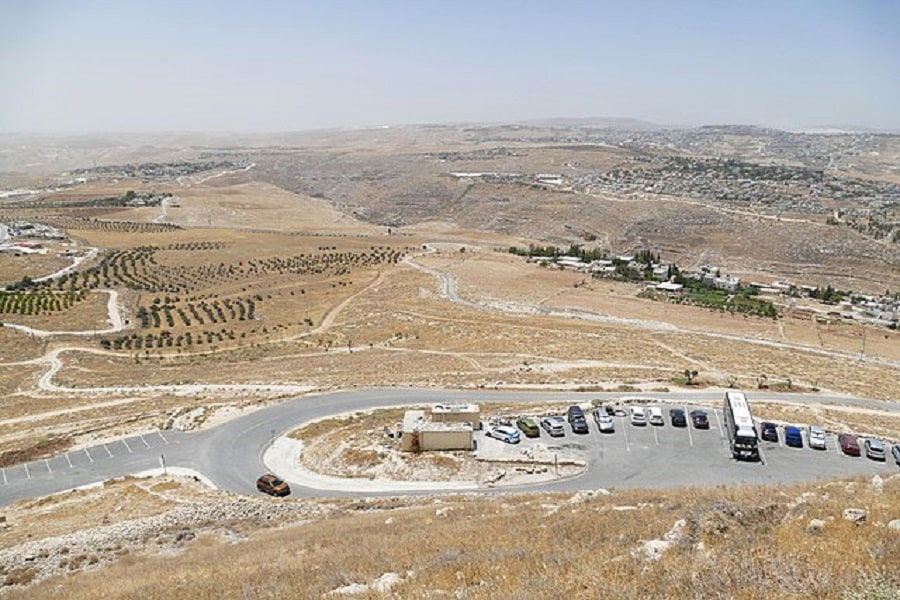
(736, 543)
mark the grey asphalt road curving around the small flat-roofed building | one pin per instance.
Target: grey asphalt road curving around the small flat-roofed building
(231, 454)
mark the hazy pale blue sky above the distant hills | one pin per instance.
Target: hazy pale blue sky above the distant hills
(262, 66)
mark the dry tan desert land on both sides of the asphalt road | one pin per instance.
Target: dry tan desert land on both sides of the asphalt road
(175, 283)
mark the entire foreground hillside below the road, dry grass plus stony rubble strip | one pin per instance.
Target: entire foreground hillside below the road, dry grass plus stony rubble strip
(835, 540)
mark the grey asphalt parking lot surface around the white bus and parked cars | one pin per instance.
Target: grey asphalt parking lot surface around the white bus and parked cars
(663, 455)
